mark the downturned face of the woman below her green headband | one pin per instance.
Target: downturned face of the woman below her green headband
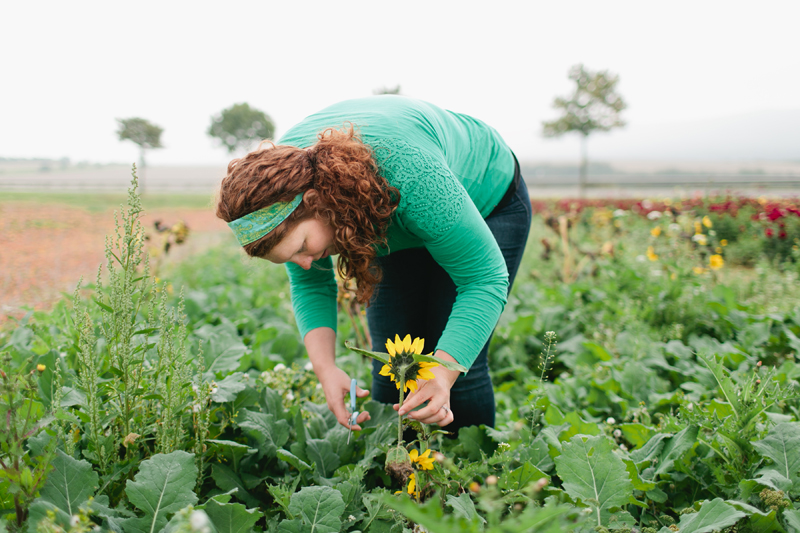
(308, 241)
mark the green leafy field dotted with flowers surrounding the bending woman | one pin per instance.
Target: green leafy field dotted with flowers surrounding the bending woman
(646, 373)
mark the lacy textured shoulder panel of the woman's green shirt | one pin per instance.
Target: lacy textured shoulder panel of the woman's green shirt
(431, 197)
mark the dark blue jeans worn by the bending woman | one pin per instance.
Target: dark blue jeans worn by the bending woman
(416, 296)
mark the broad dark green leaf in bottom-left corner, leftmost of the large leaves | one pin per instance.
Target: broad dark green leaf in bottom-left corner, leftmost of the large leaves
(68, 486)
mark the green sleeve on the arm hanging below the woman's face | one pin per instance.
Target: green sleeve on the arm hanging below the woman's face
(313, 295)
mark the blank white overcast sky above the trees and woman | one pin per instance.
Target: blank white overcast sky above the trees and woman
(70, 68)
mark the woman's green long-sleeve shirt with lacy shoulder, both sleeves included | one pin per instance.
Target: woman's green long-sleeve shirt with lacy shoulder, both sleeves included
(451, 171)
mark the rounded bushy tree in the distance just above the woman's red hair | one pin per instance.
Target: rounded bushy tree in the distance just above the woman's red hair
(239, 125)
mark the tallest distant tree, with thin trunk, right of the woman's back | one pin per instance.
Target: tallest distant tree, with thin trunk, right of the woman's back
(594, 106)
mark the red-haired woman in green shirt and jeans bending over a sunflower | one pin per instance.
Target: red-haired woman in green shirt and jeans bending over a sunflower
(426, 210)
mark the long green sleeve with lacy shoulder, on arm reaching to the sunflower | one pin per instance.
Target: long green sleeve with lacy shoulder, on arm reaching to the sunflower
(436, 208)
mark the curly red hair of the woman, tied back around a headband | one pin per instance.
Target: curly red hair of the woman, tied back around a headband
(351, 196)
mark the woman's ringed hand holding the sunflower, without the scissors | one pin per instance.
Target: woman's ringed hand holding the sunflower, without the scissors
(436, 392)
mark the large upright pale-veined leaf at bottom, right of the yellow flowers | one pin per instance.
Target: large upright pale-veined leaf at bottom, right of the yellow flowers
(592, 472)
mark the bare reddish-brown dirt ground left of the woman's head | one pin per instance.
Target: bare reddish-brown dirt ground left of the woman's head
(46, 249)
